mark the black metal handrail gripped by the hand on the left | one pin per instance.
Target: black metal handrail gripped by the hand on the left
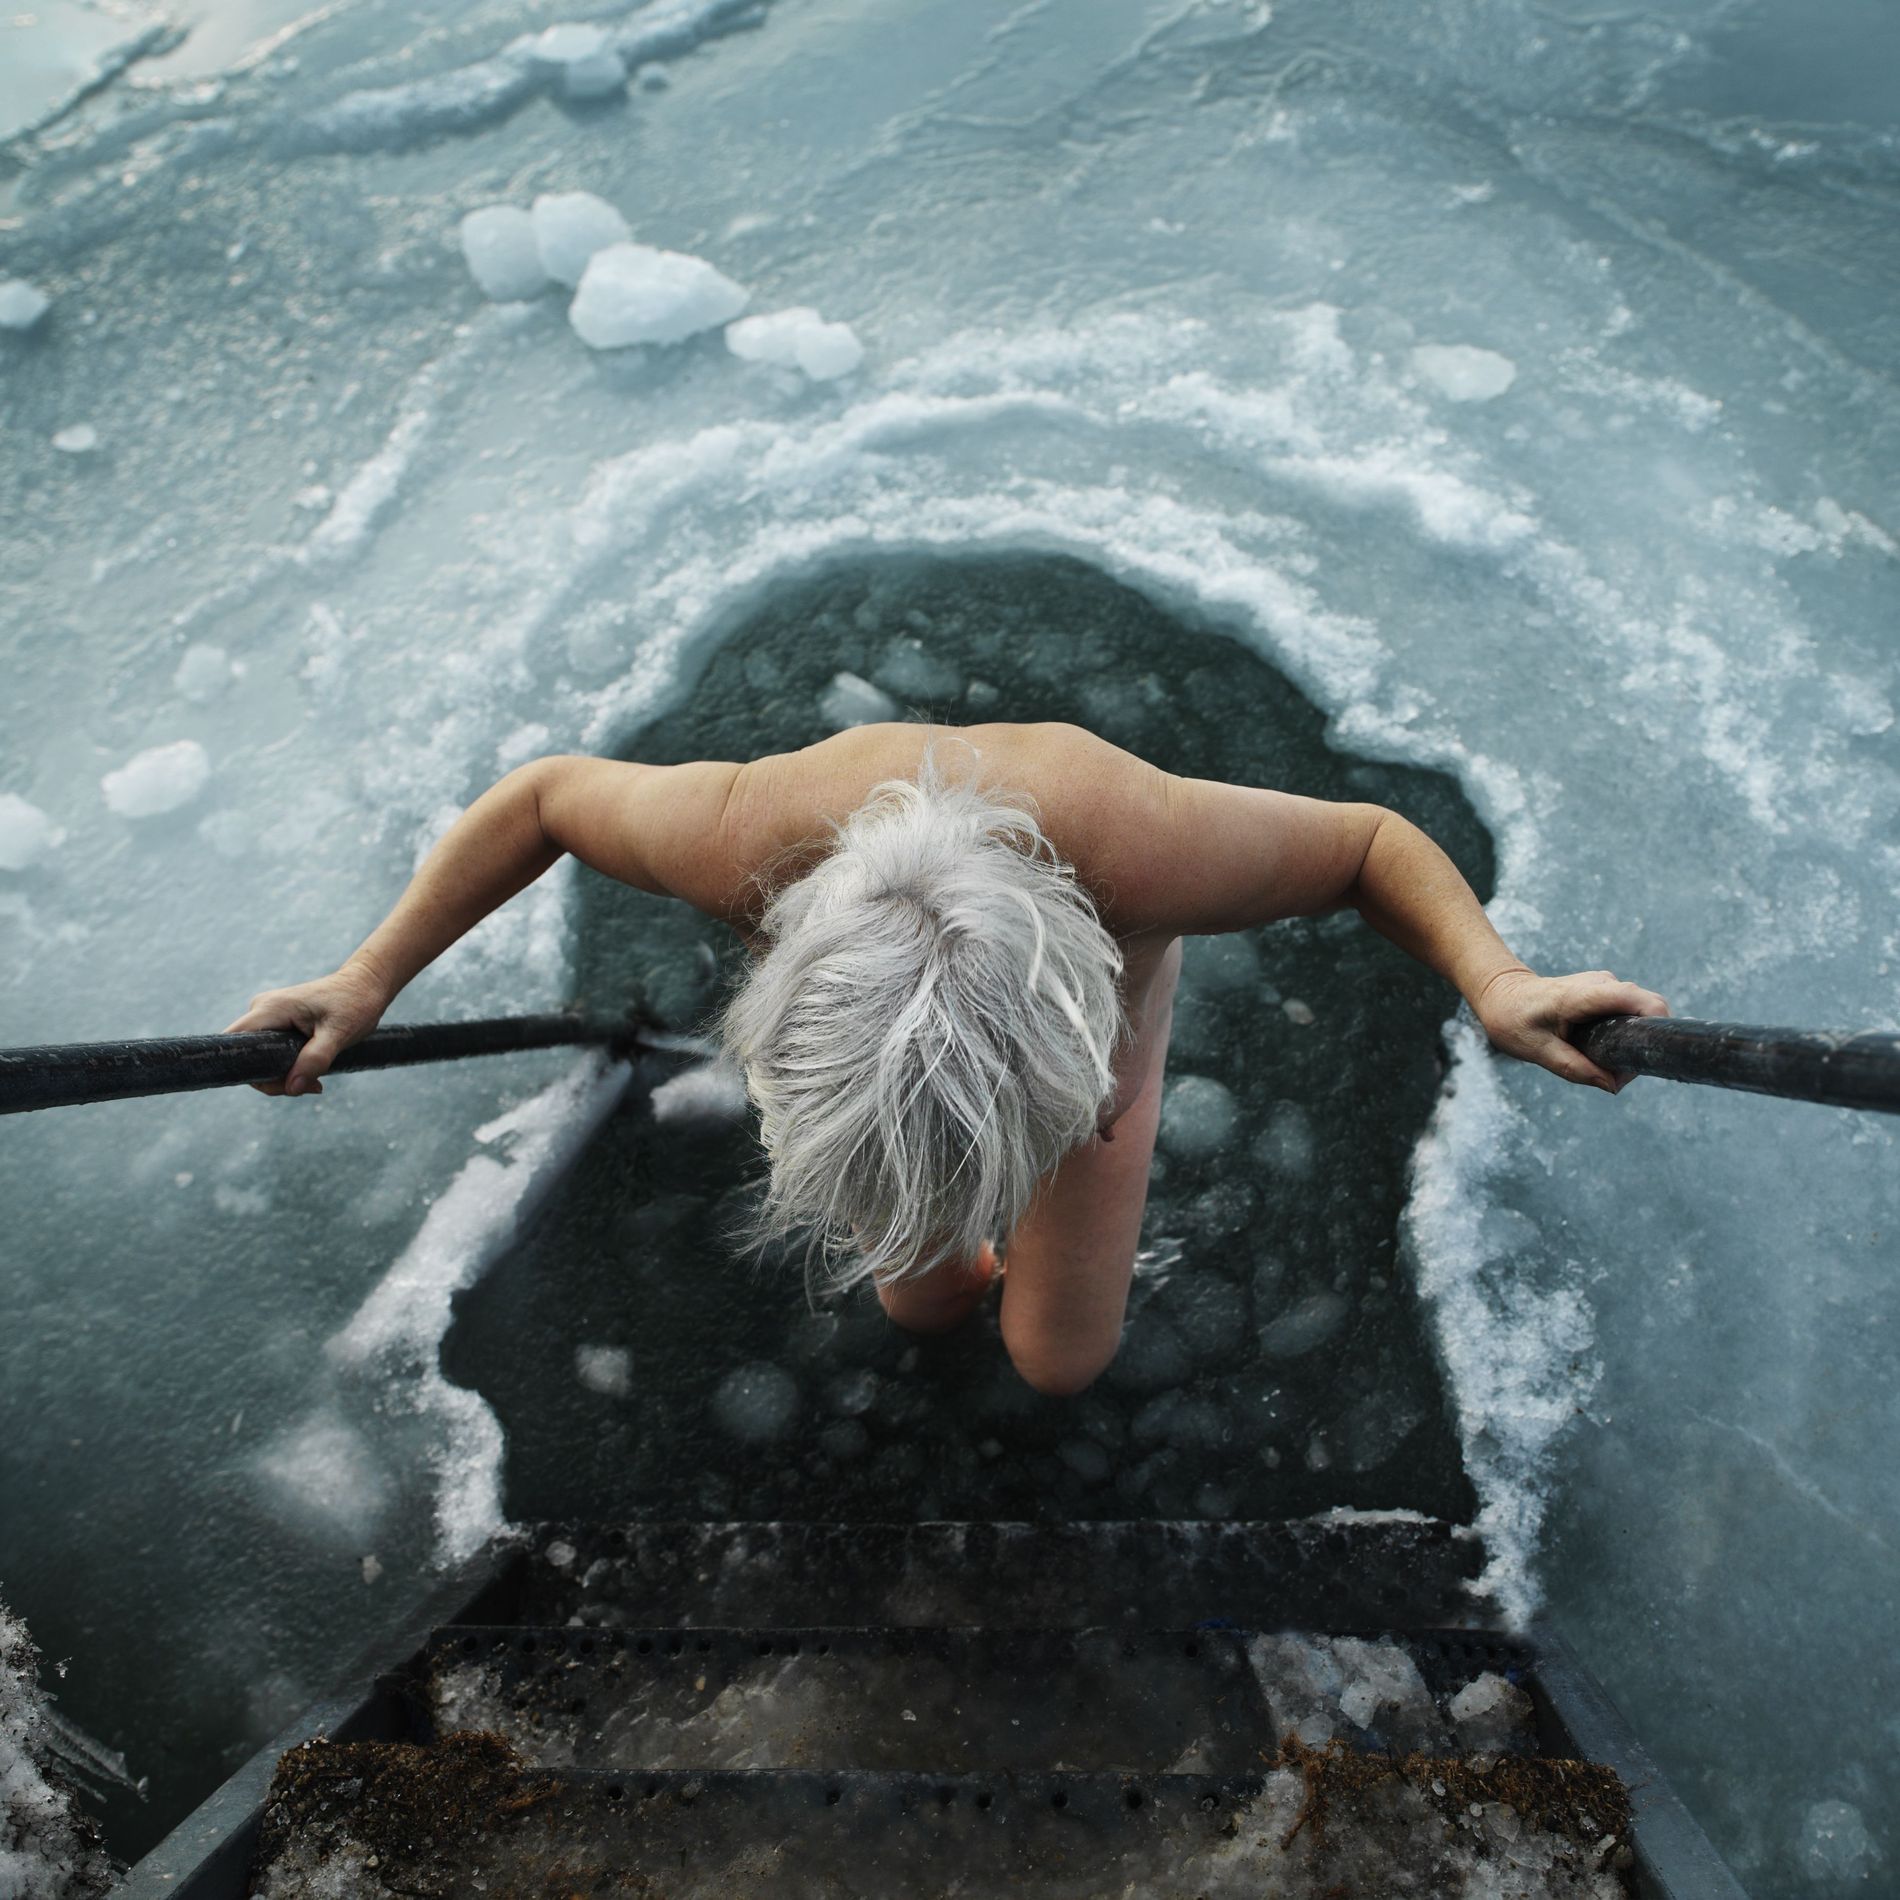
(66, 1076)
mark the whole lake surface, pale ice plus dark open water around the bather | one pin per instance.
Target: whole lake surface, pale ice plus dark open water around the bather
(1508, 389)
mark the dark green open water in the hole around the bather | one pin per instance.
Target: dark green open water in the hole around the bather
(1276, 1369)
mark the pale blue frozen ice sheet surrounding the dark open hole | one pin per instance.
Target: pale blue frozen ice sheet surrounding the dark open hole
(1671, 525)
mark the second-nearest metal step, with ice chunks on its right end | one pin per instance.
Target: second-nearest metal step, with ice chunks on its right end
(962, 1700)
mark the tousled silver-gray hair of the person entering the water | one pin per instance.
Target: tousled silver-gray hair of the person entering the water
(932, 1027)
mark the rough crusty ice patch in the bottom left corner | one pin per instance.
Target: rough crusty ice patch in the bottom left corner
(48, 1848)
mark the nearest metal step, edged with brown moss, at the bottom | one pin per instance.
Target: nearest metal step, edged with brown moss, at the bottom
(468, 1817)
